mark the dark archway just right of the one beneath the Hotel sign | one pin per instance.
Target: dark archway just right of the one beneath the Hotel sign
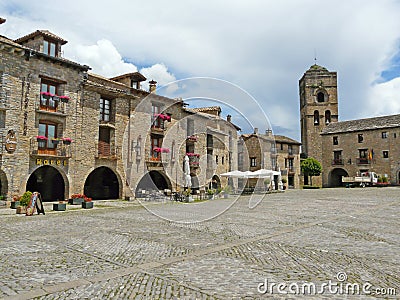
(102, 183)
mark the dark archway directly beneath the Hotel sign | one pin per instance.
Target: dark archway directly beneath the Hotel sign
(49, 182)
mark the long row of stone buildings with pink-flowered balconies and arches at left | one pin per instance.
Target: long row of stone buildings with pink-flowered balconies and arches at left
(65, 130)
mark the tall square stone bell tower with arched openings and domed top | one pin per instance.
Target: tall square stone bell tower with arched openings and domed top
(318, 107)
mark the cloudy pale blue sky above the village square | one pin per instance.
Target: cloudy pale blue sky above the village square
(263, 47)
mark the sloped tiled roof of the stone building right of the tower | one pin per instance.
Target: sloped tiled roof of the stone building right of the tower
(363, 124)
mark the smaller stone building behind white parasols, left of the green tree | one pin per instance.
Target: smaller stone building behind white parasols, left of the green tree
(272, 152)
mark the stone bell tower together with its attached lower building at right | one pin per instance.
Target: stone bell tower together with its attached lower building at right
(344, 148)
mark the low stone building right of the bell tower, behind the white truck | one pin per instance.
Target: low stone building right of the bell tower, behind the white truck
(365, 145)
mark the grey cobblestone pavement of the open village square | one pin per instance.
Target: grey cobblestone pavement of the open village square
(119, 250)
